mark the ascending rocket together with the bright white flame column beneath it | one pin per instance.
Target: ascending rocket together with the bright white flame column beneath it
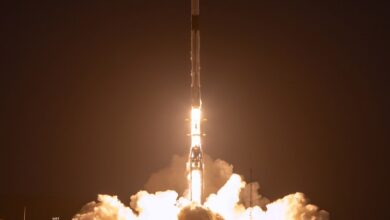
(195, 160)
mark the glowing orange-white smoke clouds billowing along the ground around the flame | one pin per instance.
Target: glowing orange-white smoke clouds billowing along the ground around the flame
(229, 198)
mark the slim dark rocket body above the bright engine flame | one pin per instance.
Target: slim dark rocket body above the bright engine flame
(195, 55)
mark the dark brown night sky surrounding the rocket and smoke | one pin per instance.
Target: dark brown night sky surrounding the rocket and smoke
(94, 95)
